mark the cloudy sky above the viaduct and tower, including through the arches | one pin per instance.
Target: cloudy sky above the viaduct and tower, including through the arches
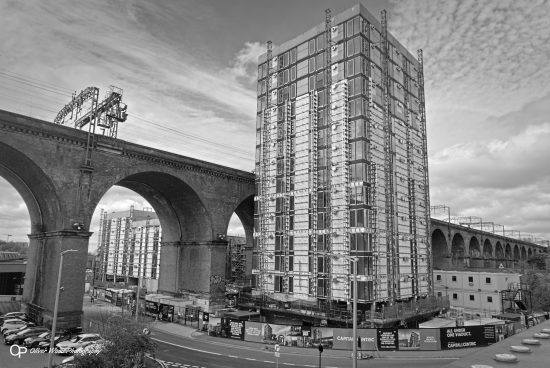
(188, 71)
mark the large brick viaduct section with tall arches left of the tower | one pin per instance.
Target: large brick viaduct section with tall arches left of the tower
(194, 200)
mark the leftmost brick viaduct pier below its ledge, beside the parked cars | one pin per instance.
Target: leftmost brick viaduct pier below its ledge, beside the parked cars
(41, 276)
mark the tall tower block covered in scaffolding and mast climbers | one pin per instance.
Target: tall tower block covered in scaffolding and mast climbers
(341, 167)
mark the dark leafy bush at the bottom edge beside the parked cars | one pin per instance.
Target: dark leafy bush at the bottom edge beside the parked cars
(125, 346)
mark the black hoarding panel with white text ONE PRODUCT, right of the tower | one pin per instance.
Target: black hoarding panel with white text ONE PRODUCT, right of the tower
(467, 337)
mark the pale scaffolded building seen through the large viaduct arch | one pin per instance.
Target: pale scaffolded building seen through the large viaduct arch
(129, 248)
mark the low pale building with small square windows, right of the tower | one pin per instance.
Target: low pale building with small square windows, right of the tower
(476, 294)
